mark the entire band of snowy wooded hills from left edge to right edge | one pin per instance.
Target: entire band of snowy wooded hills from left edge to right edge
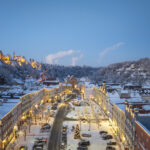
(137, 72)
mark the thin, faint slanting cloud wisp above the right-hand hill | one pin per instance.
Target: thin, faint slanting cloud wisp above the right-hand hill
(108, 49)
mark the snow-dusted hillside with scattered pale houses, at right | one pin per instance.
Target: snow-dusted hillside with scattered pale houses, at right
(136, 72)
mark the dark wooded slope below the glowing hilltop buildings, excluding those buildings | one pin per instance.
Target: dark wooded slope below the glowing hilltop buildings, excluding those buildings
(14, 71)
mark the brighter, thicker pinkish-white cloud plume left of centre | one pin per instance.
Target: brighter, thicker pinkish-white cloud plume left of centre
(54, 58)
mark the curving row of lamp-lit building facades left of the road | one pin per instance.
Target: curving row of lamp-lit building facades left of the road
(11, 122)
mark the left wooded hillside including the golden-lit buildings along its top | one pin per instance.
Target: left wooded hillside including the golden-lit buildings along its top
(17, 67)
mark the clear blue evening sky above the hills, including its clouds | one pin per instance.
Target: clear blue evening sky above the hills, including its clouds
(76, 32)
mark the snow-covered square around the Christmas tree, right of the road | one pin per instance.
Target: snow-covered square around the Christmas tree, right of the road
(97, 143)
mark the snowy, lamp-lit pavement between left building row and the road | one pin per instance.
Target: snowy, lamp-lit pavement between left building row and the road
(27, 138)
